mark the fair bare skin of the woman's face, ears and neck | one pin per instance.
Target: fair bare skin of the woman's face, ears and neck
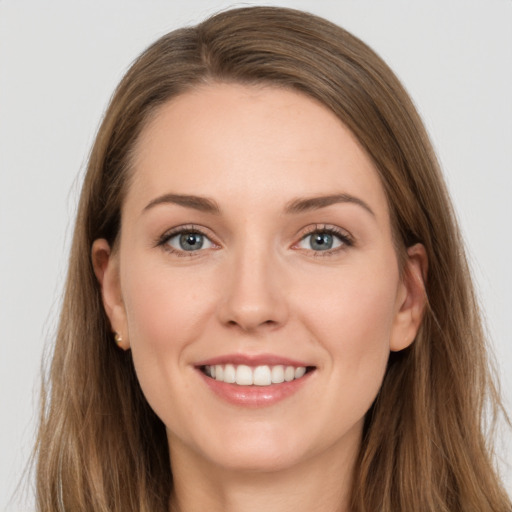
(258, 287)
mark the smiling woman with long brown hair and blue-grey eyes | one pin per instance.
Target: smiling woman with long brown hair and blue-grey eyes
(267, 305)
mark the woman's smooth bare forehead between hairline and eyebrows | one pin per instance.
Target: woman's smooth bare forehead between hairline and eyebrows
(244, 143)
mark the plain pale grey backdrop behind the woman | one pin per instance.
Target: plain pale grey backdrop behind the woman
(59, 63)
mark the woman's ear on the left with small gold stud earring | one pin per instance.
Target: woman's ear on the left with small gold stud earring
(106, 267)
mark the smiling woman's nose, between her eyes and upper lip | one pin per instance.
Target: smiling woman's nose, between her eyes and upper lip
(253, 294)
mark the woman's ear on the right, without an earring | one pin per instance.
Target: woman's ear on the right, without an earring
(411, 299)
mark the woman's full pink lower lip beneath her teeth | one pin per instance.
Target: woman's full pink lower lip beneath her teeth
(255, 396)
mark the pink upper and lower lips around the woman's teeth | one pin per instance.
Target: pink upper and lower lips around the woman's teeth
(254, 396)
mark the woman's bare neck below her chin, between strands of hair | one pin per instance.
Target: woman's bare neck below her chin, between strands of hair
(320, 483)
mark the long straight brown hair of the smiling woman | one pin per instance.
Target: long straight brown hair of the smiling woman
(101, 447)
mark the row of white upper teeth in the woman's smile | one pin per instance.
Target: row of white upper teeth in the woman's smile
(264, 375)
